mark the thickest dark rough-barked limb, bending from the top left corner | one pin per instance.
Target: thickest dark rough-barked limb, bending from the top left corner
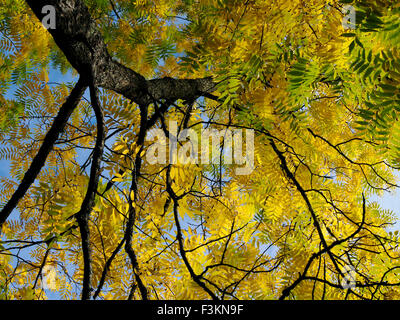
(77, 35)
